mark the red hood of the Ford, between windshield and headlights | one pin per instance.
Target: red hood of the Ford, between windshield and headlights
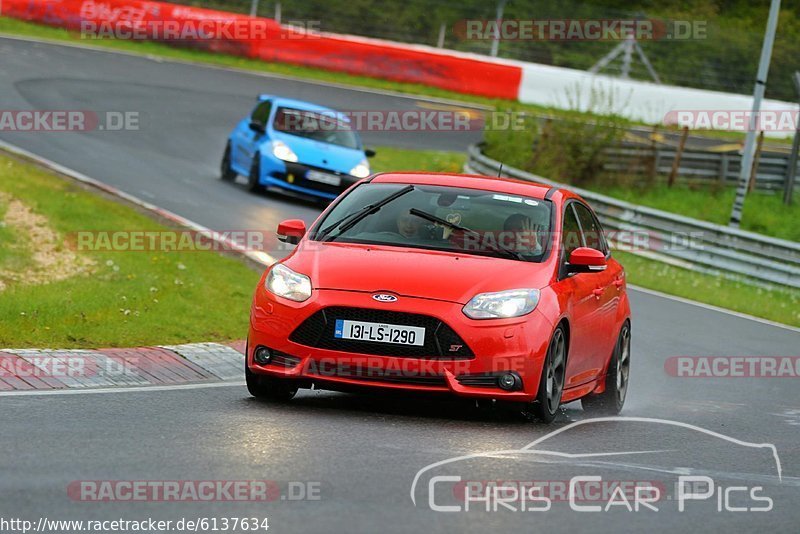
(413, 272)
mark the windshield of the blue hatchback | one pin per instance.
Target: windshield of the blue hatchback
(322, 127)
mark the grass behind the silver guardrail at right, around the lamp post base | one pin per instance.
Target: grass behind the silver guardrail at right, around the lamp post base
(763, 213)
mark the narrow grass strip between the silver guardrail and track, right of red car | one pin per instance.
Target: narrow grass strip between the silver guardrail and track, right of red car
(778, 304)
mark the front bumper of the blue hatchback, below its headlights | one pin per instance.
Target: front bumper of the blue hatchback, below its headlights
(293, 177)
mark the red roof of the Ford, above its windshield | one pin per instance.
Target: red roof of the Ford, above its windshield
(469, 181)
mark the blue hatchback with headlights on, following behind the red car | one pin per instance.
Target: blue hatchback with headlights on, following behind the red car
(296, 146)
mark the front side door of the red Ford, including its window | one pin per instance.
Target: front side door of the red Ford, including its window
(588, 297)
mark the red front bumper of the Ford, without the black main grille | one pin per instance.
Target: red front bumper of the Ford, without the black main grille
(498, 347)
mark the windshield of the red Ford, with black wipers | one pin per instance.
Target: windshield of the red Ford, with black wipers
(478, 221)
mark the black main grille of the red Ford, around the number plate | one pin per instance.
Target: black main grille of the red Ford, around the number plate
(441, 342)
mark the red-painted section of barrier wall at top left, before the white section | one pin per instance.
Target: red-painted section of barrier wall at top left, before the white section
(463, 73)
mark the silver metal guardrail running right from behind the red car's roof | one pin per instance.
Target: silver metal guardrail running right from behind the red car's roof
(674, 239)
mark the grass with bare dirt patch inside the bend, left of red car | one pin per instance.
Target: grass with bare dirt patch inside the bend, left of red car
(132, 298)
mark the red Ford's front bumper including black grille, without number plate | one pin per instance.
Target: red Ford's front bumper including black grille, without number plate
(459, 354)
